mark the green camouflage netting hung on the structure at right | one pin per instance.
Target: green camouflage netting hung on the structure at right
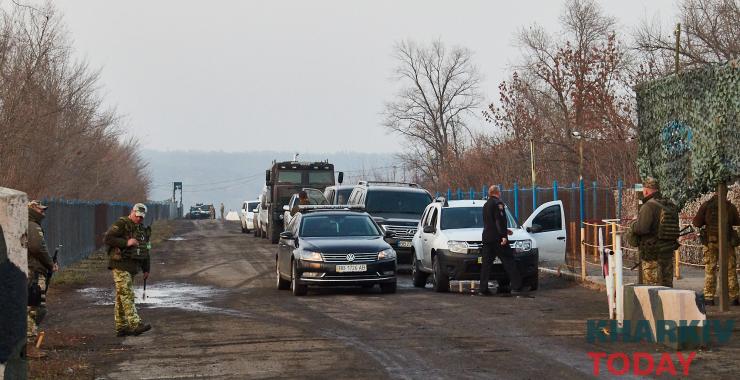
(689, 130)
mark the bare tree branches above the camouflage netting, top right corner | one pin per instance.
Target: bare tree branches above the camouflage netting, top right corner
(710, 34)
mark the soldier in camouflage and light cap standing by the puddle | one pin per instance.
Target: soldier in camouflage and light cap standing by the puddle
(128, 240)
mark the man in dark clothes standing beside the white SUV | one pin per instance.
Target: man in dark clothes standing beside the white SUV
(496, 242)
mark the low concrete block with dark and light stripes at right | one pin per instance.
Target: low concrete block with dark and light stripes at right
(666, 309)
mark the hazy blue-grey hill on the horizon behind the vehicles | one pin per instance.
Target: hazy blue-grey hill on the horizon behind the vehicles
(215, 177)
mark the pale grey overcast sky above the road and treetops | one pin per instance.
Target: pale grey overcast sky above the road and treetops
(306, 76)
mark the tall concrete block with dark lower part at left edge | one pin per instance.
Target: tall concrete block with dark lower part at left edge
(13, 283)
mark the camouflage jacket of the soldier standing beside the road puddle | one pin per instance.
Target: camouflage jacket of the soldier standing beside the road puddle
(121, 257)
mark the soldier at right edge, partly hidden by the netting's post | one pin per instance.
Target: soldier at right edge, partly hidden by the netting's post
(708, 216)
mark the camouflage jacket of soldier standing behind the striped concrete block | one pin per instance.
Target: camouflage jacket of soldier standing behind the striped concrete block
(645, 229)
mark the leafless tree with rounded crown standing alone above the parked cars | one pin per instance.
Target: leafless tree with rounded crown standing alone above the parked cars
(440, 89)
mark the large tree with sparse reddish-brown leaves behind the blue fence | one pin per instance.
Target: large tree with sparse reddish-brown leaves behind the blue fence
(575, 83)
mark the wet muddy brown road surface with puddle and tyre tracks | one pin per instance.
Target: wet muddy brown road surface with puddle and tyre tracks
(216, 313)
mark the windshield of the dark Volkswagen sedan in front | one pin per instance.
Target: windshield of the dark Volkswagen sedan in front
(337, 225)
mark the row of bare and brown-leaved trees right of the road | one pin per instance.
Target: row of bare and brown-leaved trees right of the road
(569, 92)
